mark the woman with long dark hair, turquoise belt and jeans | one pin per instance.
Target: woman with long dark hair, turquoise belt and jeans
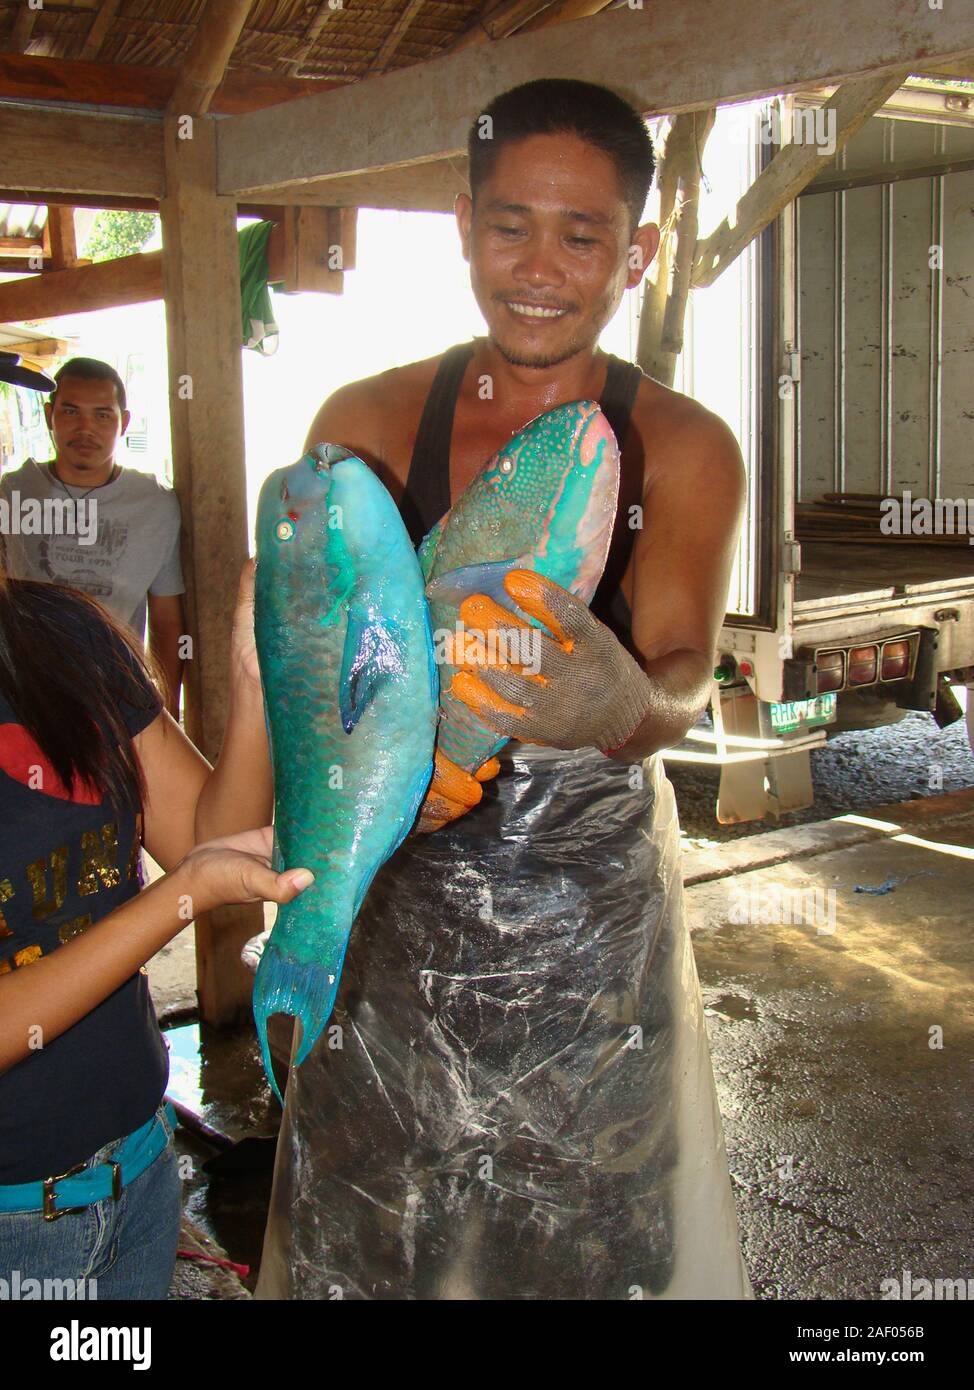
(92, 768)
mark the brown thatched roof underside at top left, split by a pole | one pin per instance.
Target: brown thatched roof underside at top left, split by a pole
(288, 38)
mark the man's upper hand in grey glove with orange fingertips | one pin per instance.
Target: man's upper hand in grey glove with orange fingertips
(579, 689)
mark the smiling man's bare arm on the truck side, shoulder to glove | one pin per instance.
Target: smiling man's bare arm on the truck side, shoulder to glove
(684, 554)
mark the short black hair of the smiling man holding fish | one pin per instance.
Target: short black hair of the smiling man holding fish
(558, 106)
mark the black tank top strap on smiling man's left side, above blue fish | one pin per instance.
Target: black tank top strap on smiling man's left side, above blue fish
(427, 496)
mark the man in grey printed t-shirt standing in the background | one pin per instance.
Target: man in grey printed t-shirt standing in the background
(85, 521)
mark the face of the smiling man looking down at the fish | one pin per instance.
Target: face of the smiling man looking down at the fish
(550, 248)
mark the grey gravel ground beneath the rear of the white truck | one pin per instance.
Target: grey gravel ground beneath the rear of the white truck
(851, 774)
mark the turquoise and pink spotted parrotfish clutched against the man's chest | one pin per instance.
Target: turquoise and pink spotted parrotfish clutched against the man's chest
(545, 502)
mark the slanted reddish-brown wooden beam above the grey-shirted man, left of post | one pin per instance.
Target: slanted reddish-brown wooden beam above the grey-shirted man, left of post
(131, 280)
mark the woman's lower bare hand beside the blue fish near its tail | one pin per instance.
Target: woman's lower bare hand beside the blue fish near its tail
(238, 869)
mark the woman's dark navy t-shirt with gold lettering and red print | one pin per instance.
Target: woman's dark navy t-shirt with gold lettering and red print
(65, 865)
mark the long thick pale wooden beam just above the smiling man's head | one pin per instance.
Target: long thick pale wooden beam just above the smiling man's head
(666, 60)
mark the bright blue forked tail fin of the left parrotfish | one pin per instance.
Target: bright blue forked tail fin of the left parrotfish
(306, 992)
